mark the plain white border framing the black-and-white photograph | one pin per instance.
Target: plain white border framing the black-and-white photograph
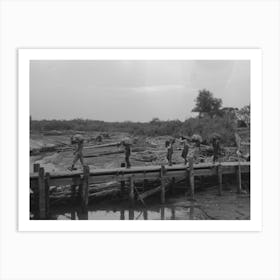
(24, 57)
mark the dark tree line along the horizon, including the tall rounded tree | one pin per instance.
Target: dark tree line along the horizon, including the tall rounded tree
(211, 118)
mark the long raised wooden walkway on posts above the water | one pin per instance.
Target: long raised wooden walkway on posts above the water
(42, 181)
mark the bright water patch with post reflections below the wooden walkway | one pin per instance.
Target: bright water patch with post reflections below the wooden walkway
(189, 212)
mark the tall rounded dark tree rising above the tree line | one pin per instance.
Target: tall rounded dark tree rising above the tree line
(207, 103)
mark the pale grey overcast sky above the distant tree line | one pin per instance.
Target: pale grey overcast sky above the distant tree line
(132, 90)
